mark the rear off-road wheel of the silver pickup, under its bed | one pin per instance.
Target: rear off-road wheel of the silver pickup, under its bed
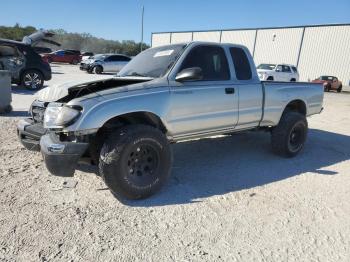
(289, 136)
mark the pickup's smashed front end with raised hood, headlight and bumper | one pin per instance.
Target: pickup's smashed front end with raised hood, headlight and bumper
(45, 130)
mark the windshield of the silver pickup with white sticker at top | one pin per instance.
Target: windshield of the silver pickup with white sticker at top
(153, 62)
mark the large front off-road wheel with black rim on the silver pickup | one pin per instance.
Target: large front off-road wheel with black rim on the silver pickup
(135, 161)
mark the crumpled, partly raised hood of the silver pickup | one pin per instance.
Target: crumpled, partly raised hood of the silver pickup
(57, 92)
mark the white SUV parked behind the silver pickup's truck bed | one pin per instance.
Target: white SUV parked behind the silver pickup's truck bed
(281, 72)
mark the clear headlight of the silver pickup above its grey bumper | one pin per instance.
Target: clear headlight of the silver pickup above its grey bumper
(58, 115)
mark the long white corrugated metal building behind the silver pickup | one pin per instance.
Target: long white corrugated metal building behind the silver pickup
(315, 49)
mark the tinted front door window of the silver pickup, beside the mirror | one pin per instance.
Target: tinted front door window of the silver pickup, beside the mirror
(211, 59)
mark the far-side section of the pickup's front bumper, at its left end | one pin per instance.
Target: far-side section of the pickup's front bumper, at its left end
(29, 133)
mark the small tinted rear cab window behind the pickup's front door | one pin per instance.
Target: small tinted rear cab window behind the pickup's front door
(241, 63)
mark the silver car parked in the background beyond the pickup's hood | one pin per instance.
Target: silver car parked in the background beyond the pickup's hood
(104, 63)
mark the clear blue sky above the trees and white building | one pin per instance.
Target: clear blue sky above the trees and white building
(121, 20)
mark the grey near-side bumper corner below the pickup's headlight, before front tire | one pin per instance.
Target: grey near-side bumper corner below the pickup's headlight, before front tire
(60, 157)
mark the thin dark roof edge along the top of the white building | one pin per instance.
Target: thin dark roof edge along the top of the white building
(253, 28)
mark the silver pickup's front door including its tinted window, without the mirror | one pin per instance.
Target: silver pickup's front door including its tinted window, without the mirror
(206, 105)
